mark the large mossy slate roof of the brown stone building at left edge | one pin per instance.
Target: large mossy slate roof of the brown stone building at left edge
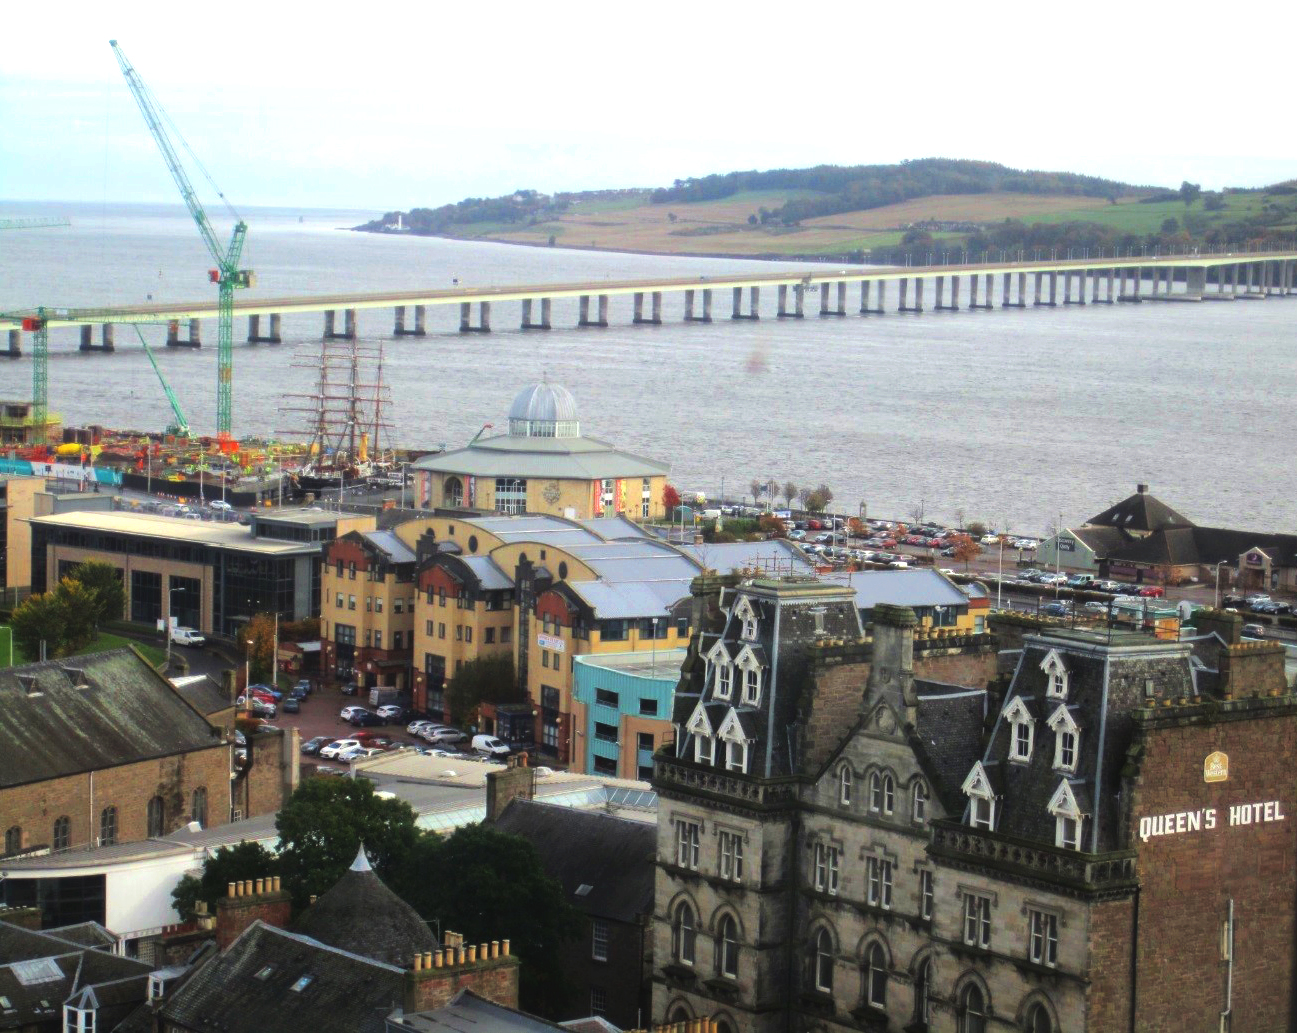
(125, 713)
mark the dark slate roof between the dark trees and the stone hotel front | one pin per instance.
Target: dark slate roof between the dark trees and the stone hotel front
(614, 865)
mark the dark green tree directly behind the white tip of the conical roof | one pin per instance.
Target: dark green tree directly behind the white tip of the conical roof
(324, 825)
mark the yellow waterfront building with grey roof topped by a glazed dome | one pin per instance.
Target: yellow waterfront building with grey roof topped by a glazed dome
(543, 465)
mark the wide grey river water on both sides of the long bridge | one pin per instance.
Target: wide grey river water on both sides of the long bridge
(1015, 417)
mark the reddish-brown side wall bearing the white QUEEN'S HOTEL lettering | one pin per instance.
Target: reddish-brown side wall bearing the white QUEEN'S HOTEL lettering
(1187, 879)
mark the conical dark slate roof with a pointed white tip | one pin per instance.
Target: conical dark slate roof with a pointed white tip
(363, 916)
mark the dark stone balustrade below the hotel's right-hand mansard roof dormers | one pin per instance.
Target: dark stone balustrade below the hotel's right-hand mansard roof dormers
(1106, 874)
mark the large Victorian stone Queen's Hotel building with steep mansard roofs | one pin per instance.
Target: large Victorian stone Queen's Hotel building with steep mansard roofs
(870, 847)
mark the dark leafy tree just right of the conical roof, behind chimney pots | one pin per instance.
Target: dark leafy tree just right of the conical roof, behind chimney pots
(487, 884)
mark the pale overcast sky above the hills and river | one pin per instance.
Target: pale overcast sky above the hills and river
(386, 106)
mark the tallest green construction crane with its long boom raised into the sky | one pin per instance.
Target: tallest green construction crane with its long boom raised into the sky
(226, 276)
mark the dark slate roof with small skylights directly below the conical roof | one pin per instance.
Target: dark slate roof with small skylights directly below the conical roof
(250, 988)
